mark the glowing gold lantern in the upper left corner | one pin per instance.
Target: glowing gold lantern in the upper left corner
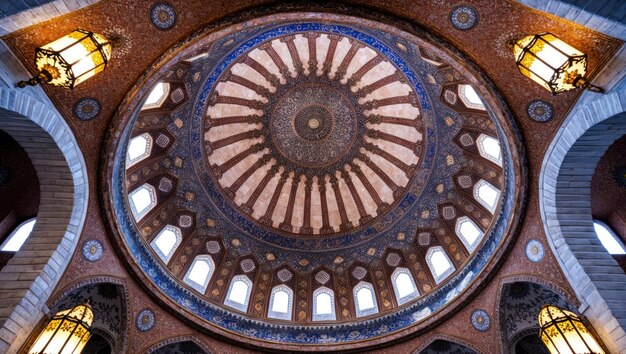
(71, 59)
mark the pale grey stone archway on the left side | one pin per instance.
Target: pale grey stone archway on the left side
(29, 278)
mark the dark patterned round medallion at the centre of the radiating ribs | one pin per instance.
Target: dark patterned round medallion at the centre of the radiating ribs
(313, 125)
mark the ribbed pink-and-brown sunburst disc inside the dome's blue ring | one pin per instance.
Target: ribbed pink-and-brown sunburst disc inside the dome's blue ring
(320, 145)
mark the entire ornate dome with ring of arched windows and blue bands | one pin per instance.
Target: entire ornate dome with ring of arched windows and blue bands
(274, 179)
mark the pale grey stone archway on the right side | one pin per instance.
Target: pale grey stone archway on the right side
(565, 205)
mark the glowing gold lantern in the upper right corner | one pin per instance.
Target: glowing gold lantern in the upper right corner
(552, 63)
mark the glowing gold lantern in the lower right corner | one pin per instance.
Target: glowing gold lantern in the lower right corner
(564, 333)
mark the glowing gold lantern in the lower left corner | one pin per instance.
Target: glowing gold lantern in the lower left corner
(66, 333)
